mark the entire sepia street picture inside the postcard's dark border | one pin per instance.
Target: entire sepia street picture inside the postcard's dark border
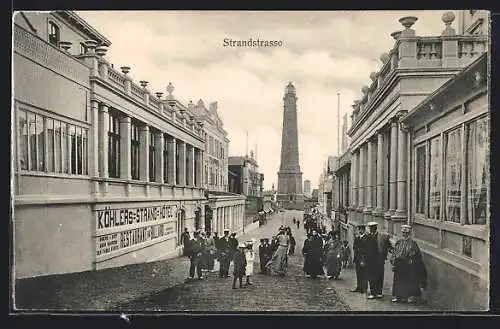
(218, 161)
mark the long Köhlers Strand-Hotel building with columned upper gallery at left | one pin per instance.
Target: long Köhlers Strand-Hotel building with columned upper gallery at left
(104, 173)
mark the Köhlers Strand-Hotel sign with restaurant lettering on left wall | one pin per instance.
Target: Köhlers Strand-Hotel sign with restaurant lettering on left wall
(129, 228)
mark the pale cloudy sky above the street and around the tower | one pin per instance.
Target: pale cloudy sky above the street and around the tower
(323, 53)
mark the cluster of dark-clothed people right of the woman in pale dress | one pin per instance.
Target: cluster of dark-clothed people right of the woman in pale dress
(325, 255)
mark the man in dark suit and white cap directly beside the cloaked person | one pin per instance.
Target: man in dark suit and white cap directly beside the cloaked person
(377, 247)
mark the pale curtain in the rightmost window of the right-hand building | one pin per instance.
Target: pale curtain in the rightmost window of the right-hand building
(478, 171)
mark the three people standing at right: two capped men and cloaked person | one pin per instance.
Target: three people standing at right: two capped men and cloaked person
(371, 251)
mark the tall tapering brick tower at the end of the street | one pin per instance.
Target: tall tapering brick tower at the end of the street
(290, 194)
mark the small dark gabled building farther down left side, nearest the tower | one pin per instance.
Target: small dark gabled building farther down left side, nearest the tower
(249, 183)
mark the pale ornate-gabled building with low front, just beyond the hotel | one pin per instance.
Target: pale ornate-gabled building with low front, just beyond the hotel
(223, 209)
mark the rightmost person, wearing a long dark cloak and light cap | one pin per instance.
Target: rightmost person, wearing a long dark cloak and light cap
(410, 275)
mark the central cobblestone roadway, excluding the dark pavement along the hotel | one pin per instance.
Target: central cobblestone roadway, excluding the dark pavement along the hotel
(268, 293)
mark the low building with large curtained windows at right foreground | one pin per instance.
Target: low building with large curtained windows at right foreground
(450, 187)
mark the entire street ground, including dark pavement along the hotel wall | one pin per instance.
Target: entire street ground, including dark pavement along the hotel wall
(163, 286)
